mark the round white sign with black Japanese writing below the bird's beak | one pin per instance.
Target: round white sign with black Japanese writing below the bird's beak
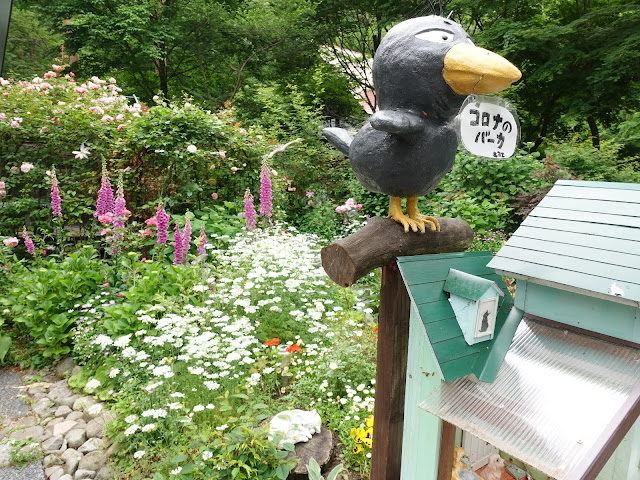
(489, 127)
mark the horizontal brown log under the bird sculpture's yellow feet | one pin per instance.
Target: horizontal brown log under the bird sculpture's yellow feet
(382, 240)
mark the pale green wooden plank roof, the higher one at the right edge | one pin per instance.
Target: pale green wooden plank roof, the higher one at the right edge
(584, 237)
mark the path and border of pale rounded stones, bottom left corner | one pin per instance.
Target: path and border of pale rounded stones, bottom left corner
(63, 432)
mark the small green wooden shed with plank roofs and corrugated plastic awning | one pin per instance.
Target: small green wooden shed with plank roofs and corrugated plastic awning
(558, 387)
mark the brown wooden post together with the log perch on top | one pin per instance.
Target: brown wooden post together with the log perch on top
(378, 244)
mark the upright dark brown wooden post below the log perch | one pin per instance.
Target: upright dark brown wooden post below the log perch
(393, 341)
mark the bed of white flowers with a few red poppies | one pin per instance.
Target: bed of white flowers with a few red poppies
(191, 381)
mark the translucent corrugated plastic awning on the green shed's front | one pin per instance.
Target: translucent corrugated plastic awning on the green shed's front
(559, 398)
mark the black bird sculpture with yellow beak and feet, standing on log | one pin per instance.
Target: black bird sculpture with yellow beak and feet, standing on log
(423, 70)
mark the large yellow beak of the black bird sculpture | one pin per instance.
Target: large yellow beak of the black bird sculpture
(469, 69)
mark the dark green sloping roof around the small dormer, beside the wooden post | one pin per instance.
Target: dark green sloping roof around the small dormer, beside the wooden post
(425, 276)
